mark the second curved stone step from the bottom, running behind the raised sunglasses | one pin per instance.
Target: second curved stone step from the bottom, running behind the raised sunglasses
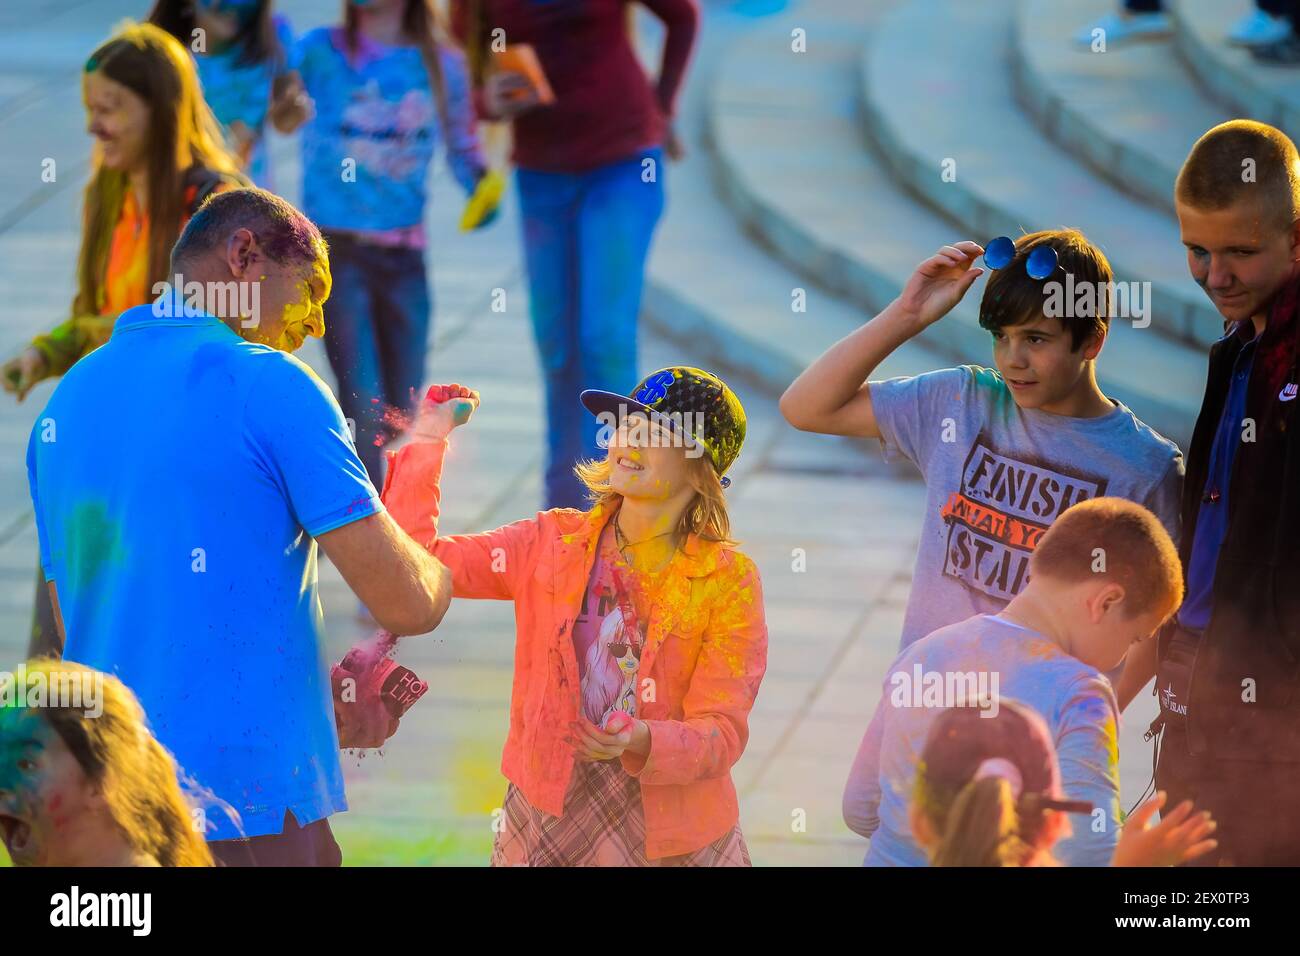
(1006, 175)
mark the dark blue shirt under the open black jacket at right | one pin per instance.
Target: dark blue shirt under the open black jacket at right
(1212, 516)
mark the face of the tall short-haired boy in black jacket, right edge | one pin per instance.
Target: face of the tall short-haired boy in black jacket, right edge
(1241, 257)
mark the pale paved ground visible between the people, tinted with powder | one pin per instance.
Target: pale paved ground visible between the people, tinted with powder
(431, 795)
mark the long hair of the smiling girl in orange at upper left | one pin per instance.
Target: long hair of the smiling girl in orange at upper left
(183, 135)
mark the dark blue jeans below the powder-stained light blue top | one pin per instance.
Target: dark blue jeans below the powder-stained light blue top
(376, 332)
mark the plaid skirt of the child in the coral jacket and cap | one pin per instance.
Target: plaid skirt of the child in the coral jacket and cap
(604, 825)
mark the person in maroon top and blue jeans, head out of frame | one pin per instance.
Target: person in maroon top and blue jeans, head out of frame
(590, 170)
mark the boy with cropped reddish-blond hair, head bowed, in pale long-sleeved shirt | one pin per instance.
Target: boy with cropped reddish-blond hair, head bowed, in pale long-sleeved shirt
(1104, 578)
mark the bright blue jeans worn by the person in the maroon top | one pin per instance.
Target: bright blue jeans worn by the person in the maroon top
(586, 243)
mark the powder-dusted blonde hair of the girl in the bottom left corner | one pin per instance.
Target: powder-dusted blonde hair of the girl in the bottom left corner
(136, 775)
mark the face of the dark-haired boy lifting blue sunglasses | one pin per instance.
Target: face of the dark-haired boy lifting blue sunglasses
(1038, 364)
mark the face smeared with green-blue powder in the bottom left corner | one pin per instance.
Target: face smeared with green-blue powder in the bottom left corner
(44, 790)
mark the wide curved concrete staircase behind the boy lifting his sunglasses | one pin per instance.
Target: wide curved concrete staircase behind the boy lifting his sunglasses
(833, 159)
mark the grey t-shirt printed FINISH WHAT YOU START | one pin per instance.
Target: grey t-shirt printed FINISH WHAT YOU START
(998, 477)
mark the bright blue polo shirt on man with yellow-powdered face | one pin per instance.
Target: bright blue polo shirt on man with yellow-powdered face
(180, 477)
